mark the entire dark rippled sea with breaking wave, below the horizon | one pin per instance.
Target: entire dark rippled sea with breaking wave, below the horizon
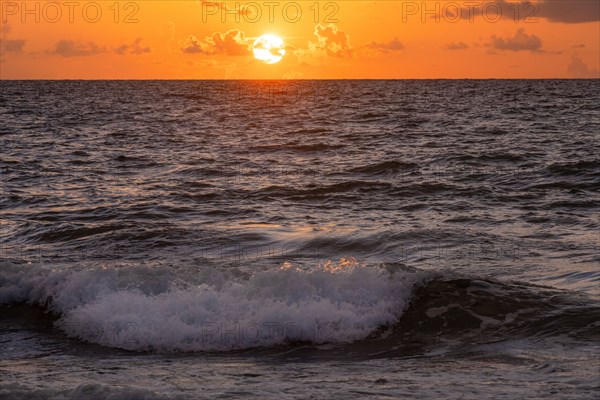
(296, 239)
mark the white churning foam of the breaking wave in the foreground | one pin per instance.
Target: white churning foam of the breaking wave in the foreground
(145, 310)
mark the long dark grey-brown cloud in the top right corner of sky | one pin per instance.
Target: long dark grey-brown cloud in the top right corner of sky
(564, 11)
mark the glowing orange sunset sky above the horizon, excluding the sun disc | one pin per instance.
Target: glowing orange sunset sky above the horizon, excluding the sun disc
(196, 39)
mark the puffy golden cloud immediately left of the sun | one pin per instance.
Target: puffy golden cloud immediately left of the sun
(231, 43)
